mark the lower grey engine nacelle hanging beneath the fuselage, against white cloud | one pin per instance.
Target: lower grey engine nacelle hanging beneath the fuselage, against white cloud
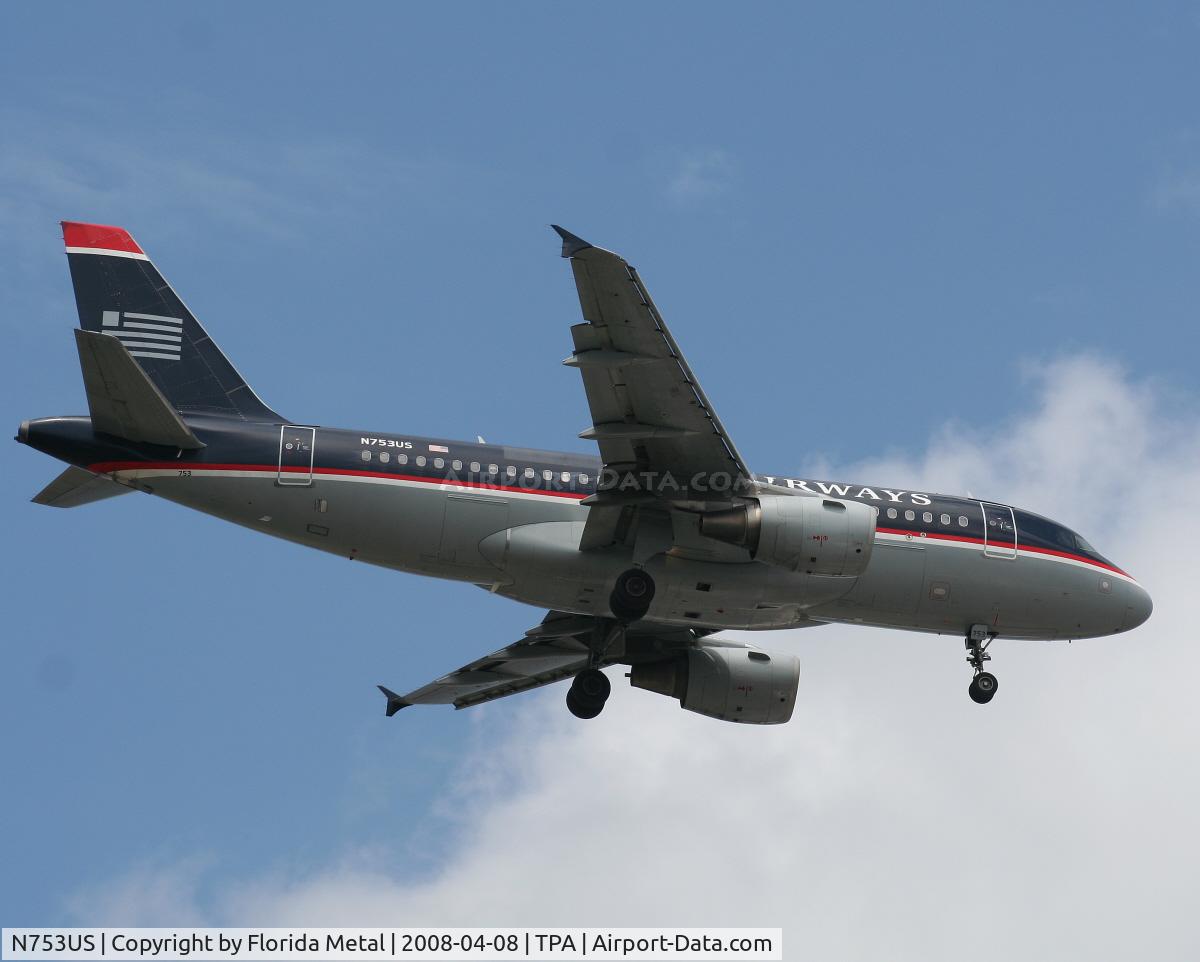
(731, 683)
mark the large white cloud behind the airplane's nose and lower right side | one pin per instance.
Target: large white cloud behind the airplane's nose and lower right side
(892, 819)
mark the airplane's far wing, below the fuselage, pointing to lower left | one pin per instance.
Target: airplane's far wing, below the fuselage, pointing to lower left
(555, 651)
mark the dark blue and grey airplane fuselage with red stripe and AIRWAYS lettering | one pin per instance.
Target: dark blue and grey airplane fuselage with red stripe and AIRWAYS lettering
(511, 520)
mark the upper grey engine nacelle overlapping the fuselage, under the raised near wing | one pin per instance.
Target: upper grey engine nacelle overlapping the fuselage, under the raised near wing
(824, 537)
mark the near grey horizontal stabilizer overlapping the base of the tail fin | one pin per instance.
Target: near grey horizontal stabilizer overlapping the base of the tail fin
(124, 401)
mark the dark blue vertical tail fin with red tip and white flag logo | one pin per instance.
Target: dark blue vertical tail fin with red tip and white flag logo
(121, 293)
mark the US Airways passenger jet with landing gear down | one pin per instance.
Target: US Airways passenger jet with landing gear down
(639, 556)
